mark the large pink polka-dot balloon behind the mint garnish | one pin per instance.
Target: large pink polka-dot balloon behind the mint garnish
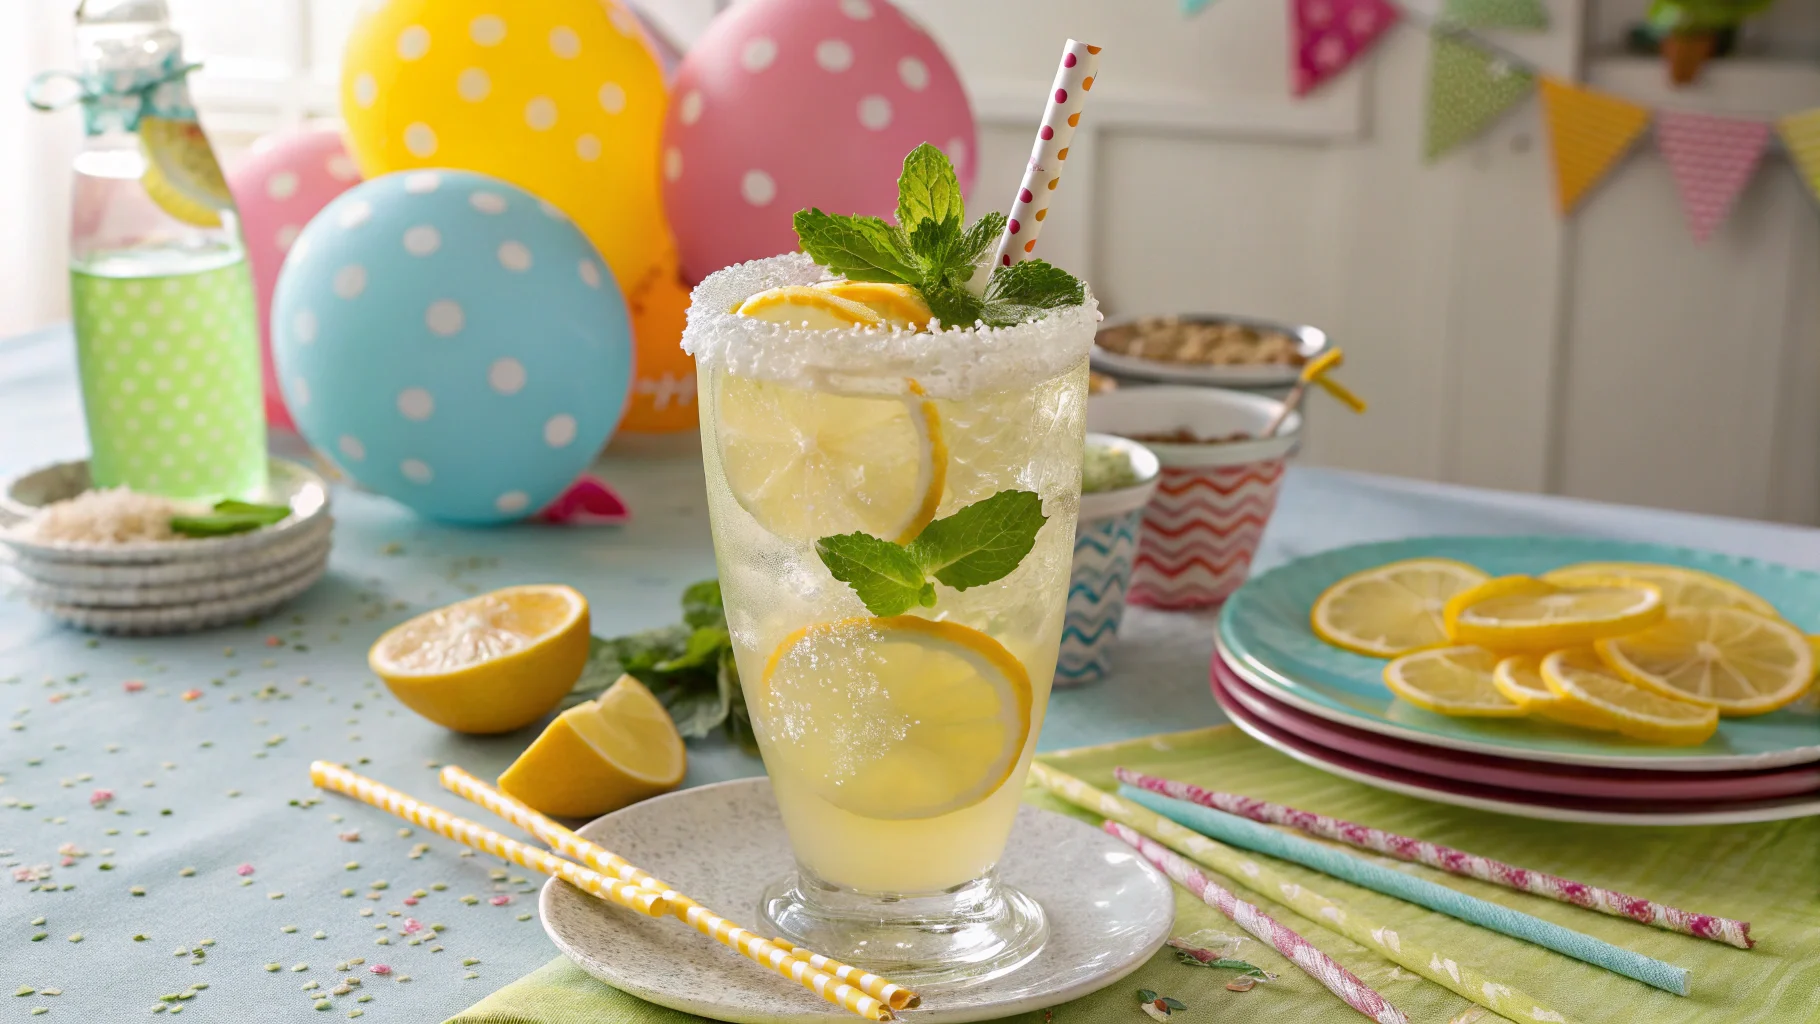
(787, 105)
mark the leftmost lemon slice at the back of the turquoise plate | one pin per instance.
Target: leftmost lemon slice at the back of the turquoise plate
(1393, 608)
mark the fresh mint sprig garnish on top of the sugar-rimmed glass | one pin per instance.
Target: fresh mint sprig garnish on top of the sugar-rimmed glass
(933, 250)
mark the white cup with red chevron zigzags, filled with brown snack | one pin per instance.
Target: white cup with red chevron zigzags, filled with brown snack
(1213, 501)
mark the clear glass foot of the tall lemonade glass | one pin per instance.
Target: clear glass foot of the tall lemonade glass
(940, 941)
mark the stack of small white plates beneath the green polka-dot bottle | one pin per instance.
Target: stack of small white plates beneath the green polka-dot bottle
(172, 587)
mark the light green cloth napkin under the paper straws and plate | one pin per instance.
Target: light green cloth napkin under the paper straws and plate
(1764, 874)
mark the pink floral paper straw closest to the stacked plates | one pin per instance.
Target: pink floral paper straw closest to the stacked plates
(1455, 861)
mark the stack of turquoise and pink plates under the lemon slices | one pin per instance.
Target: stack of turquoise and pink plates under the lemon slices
(1330, 708)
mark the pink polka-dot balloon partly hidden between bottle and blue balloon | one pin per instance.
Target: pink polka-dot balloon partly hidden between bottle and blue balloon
(281, 185)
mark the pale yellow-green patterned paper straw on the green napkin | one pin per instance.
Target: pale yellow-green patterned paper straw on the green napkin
(1333, 916)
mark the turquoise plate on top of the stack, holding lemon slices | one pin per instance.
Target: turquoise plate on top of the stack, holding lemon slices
(1266, 637)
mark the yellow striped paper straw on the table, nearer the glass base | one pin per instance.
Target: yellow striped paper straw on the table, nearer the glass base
(867, 996)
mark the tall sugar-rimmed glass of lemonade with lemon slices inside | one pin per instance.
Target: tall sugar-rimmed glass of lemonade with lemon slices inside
(896, 745)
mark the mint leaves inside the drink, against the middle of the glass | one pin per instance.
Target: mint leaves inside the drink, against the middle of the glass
(975, 547)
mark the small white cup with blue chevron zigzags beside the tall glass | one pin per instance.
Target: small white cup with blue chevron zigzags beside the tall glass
(1106, 545)
